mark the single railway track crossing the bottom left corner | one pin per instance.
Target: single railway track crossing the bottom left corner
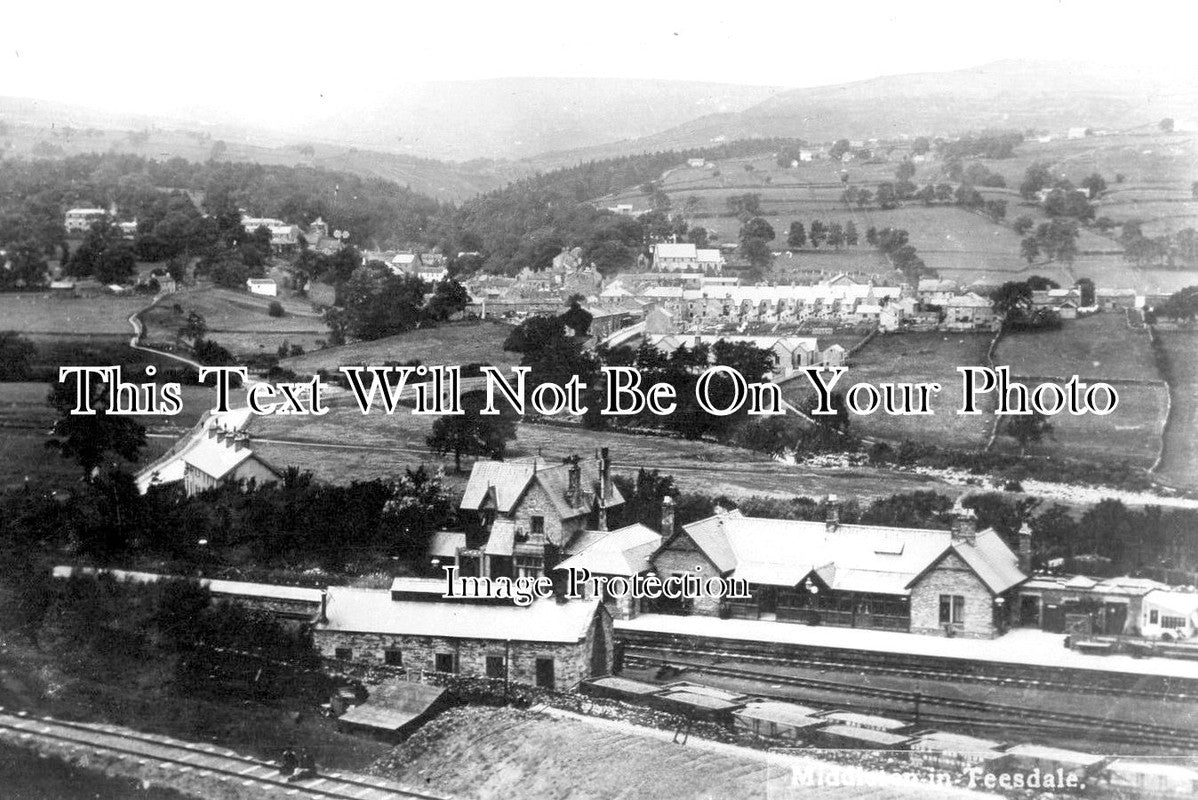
(185, 757)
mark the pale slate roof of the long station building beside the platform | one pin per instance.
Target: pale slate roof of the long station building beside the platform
(876, 560)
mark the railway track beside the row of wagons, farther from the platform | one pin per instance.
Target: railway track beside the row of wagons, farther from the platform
(979, 714)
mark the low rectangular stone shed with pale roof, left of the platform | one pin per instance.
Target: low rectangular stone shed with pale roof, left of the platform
(548, 644)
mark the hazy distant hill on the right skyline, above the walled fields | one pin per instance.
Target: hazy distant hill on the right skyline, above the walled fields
(1017, 95)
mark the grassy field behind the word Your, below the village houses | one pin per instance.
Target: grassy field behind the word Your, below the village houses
(913, 359)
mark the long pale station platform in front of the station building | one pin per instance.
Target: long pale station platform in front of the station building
(1022, 646)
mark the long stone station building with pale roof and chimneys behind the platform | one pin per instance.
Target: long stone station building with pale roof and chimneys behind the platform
(957, 583)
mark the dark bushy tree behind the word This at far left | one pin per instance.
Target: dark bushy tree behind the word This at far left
(89, 439)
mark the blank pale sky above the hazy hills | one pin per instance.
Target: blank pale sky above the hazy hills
(279, 63)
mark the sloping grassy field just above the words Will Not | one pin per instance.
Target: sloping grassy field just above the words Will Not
(453, 344)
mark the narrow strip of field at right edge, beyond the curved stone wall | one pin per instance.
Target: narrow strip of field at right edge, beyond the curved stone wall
(1181, 463)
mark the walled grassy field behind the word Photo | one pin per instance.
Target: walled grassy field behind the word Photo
(1098, 348)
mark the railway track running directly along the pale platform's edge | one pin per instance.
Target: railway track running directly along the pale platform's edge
(996, 675)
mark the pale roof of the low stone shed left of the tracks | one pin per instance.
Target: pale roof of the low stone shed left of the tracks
(373, 611)
